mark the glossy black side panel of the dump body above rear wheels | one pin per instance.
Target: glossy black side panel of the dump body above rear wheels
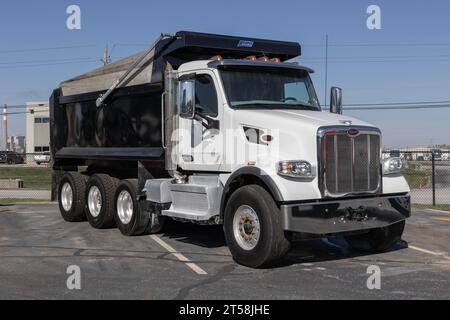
(129, 121)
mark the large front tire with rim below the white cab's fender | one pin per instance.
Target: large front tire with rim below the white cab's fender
(271, 245)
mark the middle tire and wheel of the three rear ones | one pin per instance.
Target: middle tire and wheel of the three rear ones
(100, 193)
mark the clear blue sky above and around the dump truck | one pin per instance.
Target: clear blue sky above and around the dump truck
(127, 25)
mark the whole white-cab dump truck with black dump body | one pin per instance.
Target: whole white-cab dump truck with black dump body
(222, 130)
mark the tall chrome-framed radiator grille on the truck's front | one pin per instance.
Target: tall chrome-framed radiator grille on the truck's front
(349, 164)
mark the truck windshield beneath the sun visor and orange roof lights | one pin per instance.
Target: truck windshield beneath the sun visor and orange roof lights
(270, 89)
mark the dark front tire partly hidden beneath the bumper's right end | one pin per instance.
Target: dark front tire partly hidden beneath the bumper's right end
(378, 240)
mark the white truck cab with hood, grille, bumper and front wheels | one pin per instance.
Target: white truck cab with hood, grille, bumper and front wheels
(253, 130)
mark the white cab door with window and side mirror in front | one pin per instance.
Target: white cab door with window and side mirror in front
(200, 118)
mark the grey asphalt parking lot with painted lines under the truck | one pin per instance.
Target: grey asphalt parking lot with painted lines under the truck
(192, 262)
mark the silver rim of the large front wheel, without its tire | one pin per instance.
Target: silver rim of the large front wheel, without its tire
(247, 228)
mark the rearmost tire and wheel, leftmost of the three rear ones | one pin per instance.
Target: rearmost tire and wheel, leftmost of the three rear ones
(71, 197)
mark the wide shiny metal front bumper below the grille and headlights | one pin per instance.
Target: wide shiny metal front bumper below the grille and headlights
(344, 216)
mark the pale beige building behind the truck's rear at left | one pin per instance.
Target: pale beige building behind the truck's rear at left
(38, 129)
